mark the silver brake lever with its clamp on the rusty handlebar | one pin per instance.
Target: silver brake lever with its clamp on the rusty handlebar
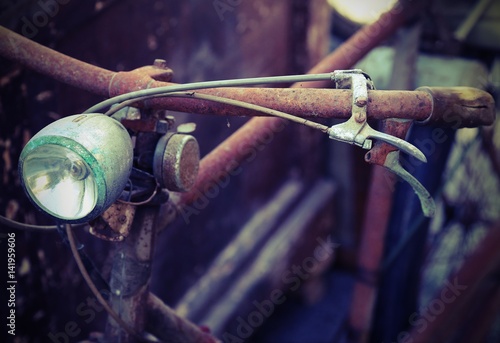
(357, 131)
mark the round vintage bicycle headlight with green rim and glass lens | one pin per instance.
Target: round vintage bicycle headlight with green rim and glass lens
(76, 167)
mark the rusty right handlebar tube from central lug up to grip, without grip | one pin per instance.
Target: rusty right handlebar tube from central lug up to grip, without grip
(304, 102)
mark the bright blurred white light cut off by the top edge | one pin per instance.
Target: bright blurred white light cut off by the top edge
(362, 11)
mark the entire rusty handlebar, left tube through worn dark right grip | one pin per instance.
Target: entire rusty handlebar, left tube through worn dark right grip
(456, 107)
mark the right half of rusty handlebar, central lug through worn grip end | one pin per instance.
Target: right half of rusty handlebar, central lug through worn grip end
(454, 106)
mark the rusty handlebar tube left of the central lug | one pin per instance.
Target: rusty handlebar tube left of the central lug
(54, 64)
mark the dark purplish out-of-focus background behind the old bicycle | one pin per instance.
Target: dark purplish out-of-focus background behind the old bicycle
(300, 192)
